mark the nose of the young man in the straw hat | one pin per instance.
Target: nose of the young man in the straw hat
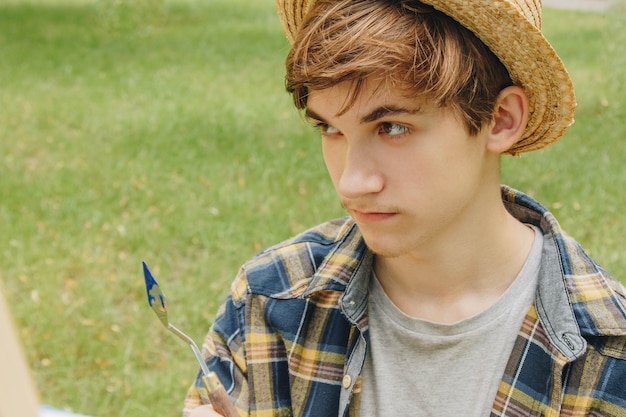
(360, 174)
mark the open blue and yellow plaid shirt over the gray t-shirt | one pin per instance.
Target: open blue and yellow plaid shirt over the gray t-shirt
(291, 337)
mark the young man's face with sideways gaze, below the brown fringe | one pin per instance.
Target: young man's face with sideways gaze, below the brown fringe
(410, 175)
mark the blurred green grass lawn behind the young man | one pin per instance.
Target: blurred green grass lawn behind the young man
(159, 130)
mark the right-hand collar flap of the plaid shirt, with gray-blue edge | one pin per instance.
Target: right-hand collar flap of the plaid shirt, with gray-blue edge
(575, 296)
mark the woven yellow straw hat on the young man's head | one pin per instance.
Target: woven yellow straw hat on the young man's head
(512, 30)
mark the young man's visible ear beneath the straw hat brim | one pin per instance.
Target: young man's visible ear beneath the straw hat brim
(510, 118)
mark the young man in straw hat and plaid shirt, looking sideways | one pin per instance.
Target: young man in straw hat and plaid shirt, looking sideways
(442, 293)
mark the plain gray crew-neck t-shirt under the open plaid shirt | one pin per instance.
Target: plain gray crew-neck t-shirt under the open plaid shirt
(419, 368)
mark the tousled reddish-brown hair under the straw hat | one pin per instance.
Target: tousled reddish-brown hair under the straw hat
(405, 44)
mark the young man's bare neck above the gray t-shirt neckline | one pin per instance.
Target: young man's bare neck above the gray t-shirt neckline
(461, 273)
